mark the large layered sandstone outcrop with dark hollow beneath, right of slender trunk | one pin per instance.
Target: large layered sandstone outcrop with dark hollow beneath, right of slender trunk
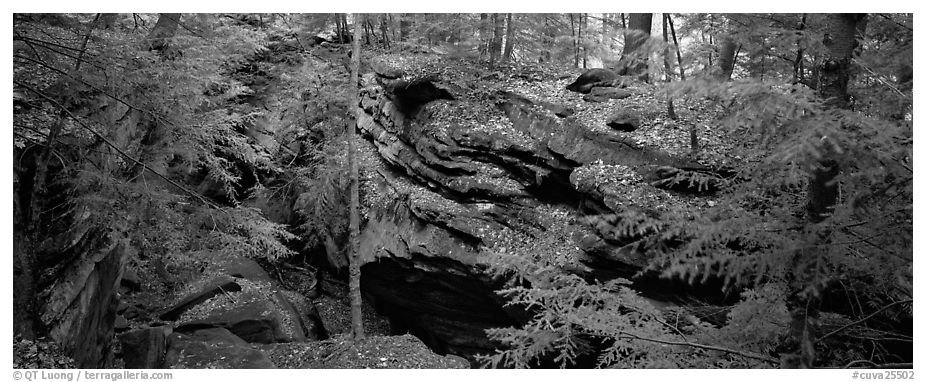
(450, 169)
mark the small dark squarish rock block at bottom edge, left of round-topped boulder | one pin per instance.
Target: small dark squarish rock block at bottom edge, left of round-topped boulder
(145, 348)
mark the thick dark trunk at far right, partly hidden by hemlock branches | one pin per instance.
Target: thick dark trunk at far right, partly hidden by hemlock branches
(842, 31)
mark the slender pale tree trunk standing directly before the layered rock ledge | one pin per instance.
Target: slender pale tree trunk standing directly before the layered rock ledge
(356, 301)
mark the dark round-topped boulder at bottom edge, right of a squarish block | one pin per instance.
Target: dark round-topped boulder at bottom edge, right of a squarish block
(215, 348)
